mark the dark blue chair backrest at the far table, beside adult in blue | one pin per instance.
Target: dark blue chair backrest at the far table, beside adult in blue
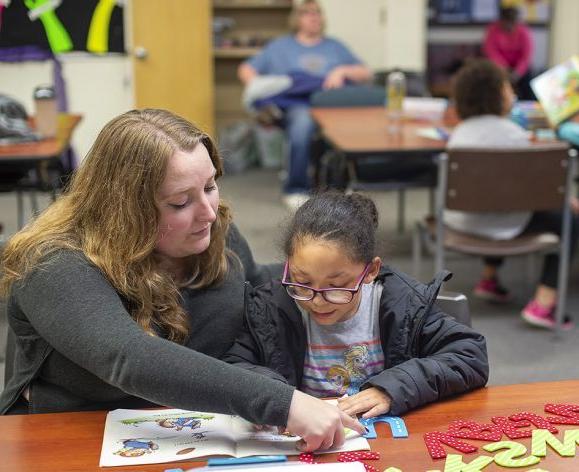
(349, 96)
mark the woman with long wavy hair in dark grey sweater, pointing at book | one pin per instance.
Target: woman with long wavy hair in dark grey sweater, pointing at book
(122, 290)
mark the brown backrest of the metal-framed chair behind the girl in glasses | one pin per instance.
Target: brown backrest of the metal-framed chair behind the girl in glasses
(495, 180)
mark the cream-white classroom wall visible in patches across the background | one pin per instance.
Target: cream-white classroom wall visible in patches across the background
(102, 87)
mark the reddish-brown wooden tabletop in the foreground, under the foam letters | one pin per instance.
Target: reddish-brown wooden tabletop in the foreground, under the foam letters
(72, 441)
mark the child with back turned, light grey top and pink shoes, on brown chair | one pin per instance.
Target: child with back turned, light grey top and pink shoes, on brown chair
(484, 98)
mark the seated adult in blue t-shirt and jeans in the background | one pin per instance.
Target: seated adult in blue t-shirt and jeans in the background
(308, 52)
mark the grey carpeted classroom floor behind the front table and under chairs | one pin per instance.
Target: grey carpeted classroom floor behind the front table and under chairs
(518, 352)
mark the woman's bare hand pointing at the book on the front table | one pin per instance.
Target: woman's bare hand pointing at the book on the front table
(320, 425)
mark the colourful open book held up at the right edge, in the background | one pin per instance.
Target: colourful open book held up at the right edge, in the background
(557, 89)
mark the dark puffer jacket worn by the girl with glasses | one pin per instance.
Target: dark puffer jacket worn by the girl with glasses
(428, 355)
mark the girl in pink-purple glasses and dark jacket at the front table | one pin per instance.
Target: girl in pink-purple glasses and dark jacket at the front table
(339, 323)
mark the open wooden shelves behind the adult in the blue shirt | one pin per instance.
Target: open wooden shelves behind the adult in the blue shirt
(241, 28)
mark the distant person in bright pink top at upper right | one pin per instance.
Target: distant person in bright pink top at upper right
(509, 44)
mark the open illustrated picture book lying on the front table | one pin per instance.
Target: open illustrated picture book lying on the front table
(155, 436)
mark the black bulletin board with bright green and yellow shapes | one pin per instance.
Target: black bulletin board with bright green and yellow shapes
(62, 26)
